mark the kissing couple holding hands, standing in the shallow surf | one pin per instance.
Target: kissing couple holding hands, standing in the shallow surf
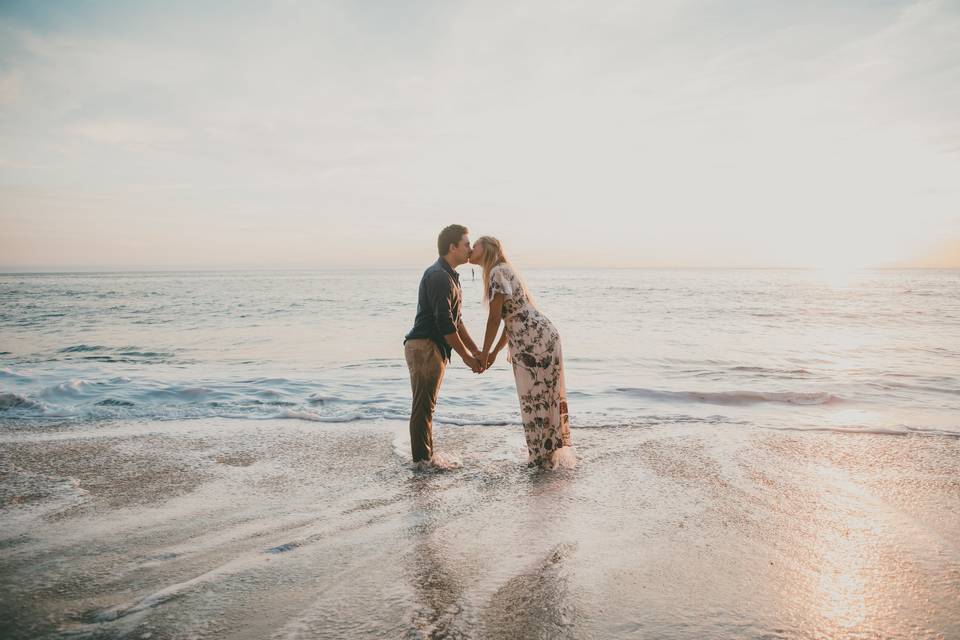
(532, 342)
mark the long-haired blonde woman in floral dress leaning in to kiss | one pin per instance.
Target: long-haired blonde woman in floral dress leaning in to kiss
(534, 351)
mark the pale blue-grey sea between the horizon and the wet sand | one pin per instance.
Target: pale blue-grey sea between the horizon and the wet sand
(865, 351)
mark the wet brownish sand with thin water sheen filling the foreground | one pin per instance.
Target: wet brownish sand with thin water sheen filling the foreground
(286, 529)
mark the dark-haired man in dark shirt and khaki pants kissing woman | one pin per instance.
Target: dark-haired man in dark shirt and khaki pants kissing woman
(437, 331)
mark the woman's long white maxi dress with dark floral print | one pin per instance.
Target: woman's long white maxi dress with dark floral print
(534, 347)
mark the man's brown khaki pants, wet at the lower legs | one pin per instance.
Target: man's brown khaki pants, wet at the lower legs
(426, 373)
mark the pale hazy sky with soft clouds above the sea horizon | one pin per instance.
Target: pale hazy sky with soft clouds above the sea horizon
(688, 133)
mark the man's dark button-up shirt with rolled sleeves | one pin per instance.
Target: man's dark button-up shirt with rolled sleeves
(438, 306)
